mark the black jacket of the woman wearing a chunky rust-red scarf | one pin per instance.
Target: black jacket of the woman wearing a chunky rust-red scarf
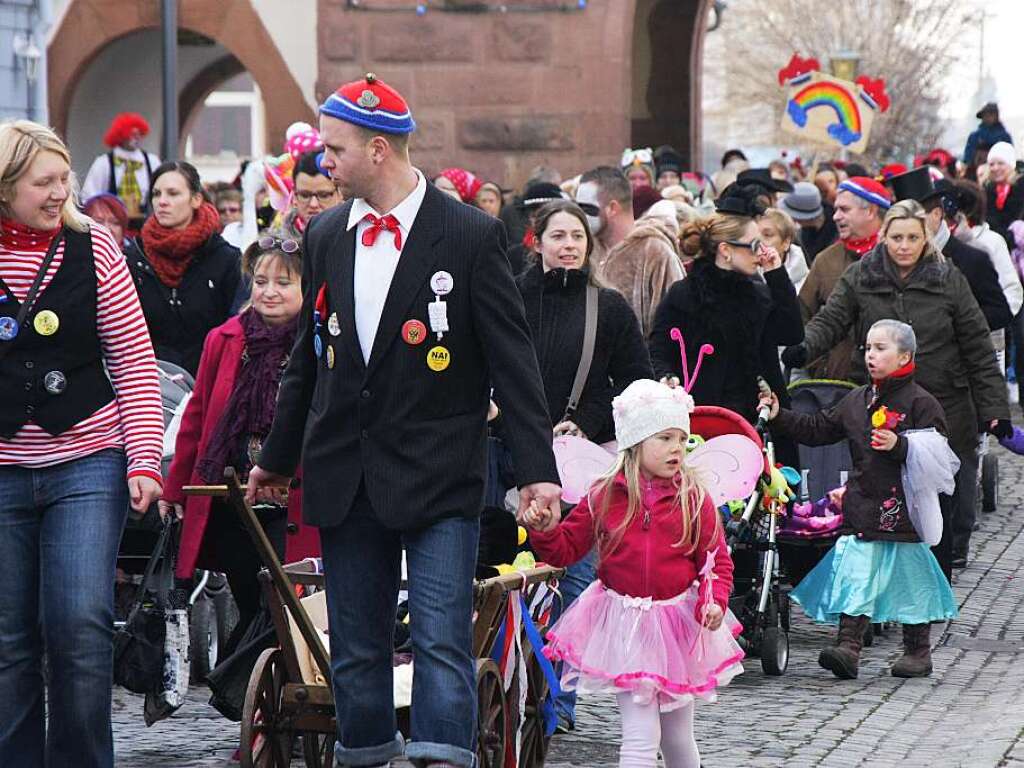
(181, 318)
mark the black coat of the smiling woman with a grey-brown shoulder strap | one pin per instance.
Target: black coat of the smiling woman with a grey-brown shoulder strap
(556, 305)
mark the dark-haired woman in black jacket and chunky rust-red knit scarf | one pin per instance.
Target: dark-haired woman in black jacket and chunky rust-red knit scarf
(186, 274)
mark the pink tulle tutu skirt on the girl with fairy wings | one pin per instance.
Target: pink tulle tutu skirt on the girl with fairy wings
(655, 649)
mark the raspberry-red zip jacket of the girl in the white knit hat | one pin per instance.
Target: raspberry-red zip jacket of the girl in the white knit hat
(646, 564)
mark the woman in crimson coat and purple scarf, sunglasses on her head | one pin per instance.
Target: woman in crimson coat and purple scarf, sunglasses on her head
(225, 424)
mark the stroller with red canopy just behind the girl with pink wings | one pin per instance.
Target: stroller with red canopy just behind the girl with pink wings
(758, 601)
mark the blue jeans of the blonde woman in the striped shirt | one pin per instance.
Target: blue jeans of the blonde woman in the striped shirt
(60, 532)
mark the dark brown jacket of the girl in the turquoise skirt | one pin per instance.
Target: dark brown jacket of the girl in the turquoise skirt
(875, 505)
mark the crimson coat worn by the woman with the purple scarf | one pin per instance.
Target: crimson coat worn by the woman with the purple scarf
(219, 371)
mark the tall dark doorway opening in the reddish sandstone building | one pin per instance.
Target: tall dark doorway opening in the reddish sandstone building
(668, 42)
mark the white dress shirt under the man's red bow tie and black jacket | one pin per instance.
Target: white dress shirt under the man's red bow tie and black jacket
(375, 265)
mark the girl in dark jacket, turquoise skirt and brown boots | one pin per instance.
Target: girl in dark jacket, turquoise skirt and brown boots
(880, 570)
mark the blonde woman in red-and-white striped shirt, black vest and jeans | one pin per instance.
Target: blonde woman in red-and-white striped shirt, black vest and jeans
(80, 441)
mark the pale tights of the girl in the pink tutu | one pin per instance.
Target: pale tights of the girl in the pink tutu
(646, 729)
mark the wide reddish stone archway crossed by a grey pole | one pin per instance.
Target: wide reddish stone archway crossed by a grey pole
(109, 49)
